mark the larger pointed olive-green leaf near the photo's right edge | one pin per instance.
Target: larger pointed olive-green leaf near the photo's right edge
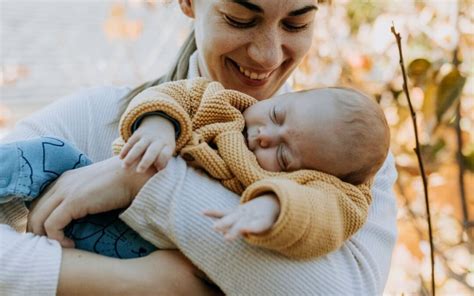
(449, 92)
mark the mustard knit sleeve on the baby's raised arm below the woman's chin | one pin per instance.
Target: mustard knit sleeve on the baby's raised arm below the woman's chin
(178, 100)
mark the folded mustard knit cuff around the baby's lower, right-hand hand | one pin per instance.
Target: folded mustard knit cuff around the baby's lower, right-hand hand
(292, 212)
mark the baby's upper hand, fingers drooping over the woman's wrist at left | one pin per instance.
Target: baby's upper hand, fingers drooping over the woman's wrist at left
(153, 143)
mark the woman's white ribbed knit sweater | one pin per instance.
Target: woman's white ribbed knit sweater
(168, 213)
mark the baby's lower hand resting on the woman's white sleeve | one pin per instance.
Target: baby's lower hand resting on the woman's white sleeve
(255, 216)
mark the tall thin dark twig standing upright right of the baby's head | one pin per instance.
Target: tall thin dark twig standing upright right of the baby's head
(419, 156)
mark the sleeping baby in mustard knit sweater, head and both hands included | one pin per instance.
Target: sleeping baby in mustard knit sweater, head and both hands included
(291, 203)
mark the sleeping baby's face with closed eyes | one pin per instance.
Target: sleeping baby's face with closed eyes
(293, 131)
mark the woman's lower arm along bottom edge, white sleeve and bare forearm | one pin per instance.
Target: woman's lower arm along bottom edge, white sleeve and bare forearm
(34, 263)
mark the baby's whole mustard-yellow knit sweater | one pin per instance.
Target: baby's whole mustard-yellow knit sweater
(310, 223)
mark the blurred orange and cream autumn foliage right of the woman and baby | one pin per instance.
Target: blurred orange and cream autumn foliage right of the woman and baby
(353, 46)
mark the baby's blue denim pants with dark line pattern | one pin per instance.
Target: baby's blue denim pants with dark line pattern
(28, 167)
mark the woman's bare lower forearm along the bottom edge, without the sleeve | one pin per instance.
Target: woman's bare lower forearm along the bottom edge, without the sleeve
(160, 273)
